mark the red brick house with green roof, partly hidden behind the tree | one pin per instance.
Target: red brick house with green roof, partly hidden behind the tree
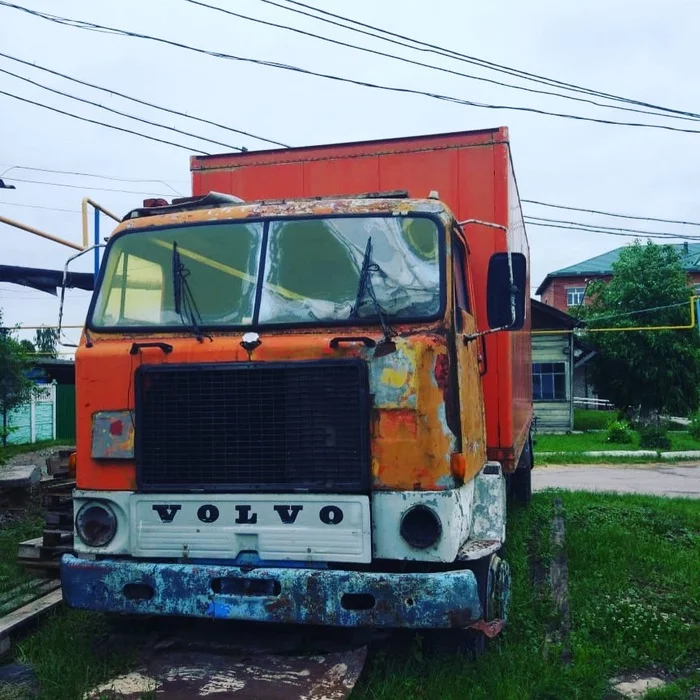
(565, 289)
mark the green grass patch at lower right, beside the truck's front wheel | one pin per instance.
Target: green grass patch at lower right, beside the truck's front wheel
(634, 587)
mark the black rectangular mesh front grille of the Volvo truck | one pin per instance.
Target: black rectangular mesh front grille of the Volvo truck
(253, 427)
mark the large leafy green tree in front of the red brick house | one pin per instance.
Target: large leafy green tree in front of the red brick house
(653, 372)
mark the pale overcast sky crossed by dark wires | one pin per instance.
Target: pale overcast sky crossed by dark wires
(641, 50)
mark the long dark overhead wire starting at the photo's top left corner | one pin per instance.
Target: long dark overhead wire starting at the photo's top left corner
(91, 26)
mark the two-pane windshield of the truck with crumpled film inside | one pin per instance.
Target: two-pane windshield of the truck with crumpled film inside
(296, 271)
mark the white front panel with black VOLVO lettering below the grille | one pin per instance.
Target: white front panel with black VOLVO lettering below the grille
(307, 527)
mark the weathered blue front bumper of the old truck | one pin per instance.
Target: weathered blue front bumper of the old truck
(296, 595)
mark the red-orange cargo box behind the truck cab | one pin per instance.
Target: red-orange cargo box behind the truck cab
(472, 173)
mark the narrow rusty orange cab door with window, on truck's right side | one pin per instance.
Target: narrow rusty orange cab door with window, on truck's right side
(471, 362)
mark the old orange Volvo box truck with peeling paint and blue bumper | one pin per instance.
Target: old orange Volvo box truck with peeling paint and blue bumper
(304, 393)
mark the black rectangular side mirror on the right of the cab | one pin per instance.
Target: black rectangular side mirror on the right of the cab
(506, 291)
